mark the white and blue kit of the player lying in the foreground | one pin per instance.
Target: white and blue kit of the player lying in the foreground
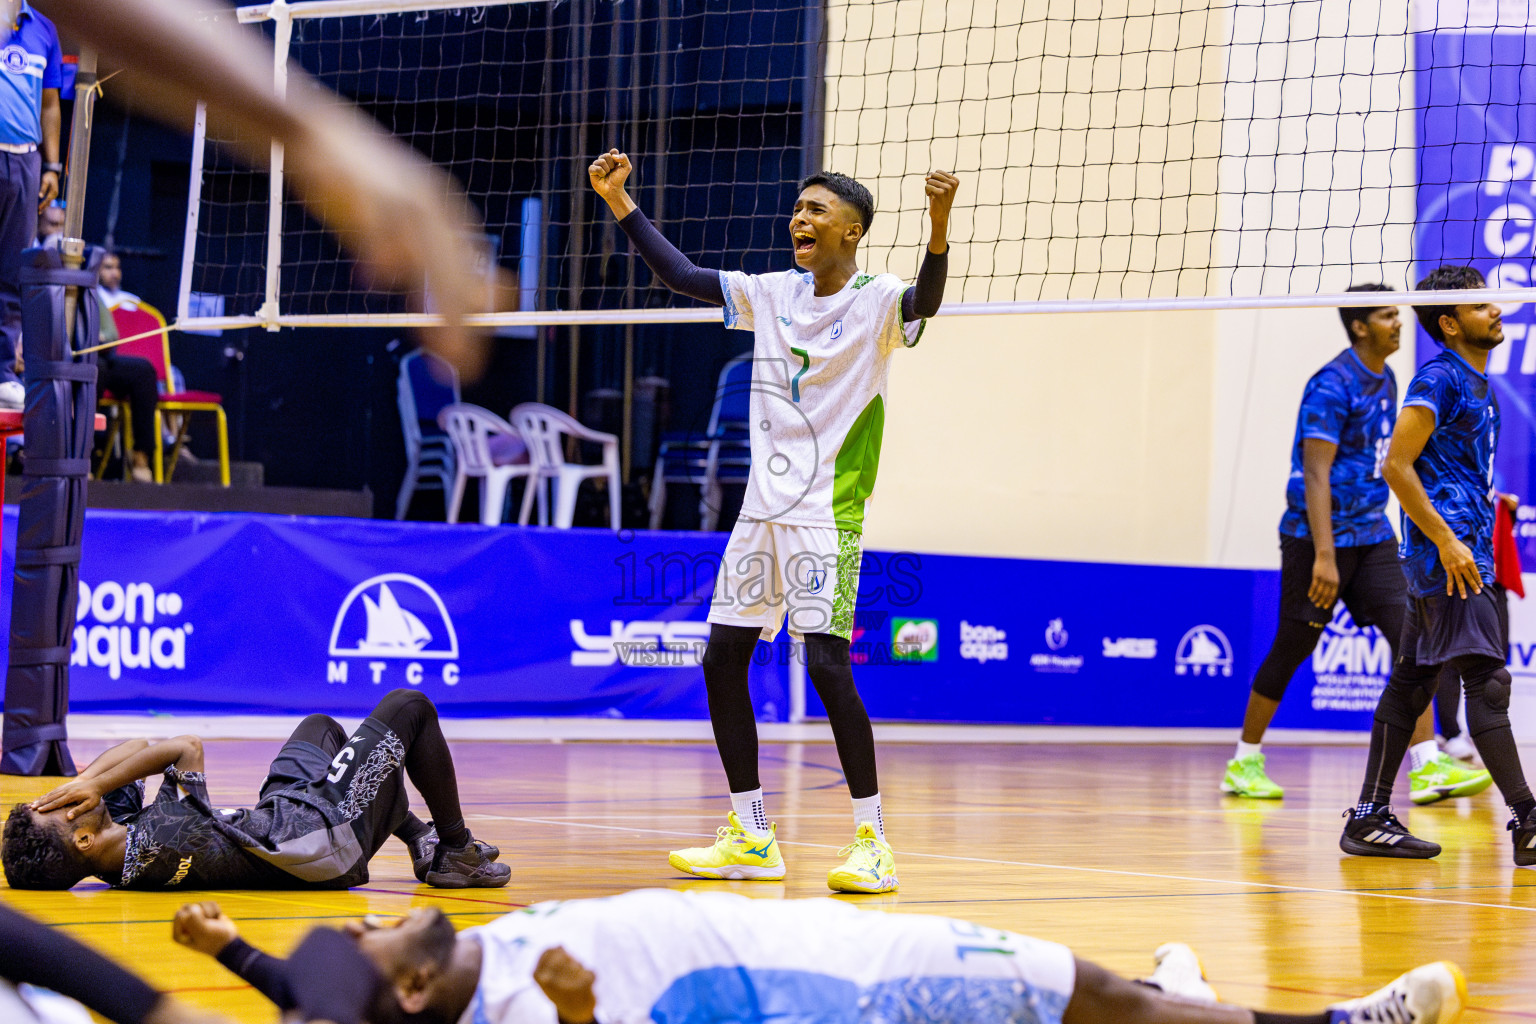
(669, 957)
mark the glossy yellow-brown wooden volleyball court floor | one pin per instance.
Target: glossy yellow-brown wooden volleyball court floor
(1110, 850)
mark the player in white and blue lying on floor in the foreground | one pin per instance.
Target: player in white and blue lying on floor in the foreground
(704, 957)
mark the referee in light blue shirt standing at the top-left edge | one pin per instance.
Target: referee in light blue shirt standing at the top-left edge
(31, 71)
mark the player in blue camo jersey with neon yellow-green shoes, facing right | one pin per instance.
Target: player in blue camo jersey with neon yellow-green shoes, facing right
(1336, 544)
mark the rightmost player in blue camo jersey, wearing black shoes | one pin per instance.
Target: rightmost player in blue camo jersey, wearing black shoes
(1440, 466)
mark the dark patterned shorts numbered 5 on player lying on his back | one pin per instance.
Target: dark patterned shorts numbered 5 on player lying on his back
(357, 798)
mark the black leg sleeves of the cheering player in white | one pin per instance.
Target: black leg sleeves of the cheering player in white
(830, 666)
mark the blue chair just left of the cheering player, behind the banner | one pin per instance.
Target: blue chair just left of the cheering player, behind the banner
(721, 457)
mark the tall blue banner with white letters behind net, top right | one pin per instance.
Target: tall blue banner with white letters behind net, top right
(1477, 205)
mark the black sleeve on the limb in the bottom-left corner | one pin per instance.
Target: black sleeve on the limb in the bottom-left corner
(36, 954)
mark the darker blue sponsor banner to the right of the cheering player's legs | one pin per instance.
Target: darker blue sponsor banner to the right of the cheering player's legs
(1091, 644)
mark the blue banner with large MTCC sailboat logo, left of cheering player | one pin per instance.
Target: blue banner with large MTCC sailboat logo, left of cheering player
(279, 615)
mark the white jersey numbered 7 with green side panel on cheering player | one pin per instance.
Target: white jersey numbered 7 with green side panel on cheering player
(819, 374)
